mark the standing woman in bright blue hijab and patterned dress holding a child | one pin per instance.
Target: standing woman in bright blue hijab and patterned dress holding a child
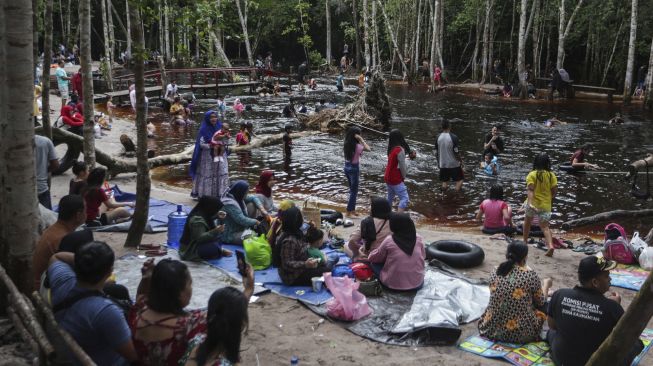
(210, 178)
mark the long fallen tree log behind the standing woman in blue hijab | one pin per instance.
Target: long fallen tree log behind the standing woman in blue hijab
(117, 165)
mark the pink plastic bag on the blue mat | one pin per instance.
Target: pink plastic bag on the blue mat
(347, 304)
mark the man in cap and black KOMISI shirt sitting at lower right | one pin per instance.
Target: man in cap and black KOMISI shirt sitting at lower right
(580, 319)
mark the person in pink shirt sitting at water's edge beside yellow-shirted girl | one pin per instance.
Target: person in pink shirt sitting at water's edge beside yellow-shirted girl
(496, 214)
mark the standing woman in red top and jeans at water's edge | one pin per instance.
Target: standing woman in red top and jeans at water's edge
(395, 171)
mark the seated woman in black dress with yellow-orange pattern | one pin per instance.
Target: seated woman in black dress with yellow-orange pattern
(517, 299)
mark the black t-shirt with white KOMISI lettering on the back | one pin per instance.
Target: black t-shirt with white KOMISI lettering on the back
(583, 318)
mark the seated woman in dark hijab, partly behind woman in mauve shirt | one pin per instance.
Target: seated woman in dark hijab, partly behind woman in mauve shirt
(373, 229)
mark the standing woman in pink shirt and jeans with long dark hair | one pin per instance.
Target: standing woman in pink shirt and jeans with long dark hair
(354, 147)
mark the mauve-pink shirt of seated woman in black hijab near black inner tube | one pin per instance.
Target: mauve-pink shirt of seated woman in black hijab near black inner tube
(400, 271)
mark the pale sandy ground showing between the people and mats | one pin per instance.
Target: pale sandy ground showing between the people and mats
(280, 328)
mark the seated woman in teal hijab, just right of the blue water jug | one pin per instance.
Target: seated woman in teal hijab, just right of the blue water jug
(235, 205)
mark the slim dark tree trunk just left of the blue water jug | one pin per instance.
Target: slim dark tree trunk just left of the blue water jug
(143, 183)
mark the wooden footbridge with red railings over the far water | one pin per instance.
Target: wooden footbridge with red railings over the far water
(194, 79)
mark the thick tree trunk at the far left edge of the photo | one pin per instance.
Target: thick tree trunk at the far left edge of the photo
(19, 203)
